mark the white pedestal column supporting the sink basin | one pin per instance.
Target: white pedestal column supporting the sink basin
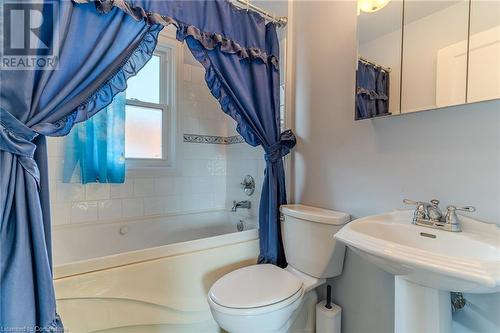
(420, 309)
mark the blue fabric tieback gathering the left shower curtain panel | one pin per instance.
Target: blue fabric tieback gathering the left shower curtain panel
(17, 138)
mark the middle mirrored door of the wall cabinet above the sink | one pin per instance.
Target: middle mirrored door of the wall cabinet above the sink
(434, 54)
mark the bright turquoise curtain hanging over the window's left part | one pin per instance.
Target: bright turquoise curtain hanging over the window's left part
(97, 147)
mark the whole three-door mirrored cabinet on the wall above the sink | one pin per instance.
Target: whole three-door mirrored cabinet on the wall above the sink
(418, 55)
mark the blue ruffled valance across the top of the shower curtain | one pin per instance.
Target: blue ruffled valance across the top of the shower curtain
(211, 32)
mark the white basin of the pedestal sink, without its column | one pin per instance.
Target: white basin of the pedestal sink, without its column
(467, 261)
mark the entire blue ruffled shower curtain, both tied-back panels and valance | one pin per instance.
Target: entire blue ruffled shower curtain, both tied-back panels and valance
(97, 51)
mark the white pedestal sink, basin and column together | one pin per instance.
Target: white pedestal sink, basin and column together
(427, 264)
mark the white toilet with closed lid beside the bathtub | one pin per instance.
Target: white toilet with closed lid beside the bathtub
(266, 298)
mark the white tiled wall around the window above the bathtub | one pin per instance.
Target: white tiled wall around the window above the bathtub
(206, 176)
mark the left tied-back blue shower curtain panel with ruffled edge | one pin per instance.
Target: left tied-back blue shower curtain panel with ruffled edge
(96, 53)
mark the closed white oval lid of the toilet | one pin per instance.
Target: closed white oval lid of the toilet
(254, 286)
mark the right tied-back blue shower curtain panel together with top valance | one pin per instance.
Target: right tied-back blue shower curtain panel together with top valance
(240, 54)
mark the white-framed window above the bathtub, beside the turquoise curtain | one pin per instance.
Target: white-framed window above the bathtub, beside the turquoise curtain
(148, 126)
